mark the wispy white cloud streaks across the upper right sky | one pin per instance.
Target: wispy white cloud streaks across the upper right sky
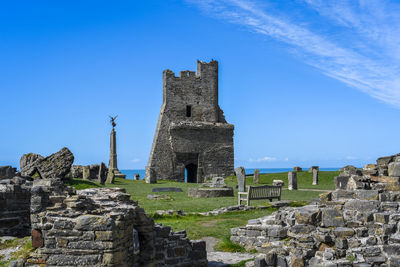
(366, 56)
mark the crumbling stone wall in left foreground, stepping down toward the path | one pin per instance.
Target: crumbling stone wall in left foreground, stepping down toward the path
(102, 227)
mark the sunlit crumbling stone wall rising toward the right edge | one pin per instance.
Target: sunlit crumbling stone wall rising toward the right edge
(358, 224)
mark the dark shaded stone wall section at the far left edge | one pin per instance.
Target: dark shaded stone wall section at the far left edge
(15, 198)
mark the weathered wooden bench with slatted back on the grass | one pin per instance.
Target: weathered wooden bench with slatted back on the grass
(260, 192)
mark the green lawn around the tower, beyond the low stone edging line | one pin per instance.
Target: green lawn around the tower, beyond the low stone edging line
(180, 200)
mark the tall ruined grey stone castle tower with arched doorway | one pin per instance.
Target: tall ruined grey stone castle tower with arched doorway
(192, 138)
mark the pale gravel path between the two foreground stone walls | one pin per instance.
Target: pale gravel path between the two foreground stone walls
(216, 258)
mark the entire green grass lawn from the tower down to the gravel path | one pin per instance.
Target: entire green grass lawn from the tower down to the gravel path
(215, 226)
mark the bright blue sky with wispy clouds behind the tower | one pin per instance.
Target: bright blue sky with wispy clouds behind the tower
(305, 82)
